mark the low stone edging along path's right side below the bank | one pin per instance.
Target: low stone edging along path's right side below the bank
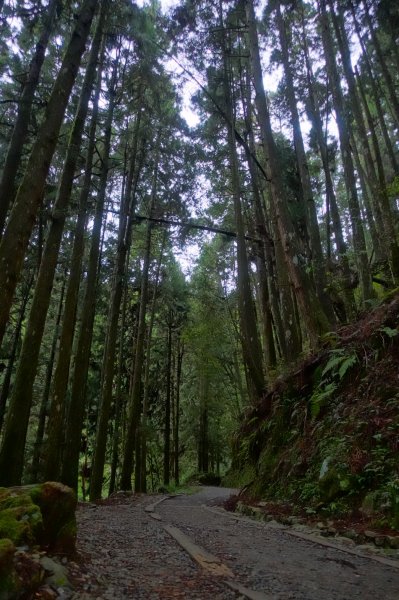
(306, 536)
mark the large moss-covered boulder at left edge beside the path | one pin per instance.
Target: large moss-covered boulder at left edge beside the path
(41, 515)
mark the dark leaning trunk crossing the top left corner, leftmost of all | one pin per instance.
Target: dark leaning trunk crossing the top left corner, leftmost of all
(20, 130)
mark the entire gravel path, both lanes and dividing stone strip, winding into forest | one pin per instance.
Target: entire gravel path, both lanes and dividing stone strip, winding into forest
(129, 554)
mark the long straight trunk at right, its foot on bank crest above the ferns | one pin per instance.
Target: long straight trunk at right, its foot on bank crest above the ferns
(359, 242)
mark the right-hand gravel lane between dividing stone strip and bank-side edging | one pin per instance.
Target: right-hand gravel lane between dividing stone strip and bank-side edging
(267, 559)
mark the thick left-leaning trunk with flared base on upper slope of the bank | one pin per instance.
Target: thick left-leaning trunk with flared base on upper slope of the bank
(312, 312)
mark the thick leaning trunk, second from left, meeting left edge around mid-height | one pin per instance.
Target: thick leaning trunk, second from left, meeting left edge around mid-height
(27, 203)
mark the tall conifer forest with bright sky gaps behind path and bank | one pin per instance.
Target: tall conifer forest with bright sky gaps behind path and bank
(120, 365)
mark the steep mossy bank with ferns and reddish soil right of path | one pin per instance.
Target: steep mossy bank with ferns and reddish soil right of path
(326, 438)
